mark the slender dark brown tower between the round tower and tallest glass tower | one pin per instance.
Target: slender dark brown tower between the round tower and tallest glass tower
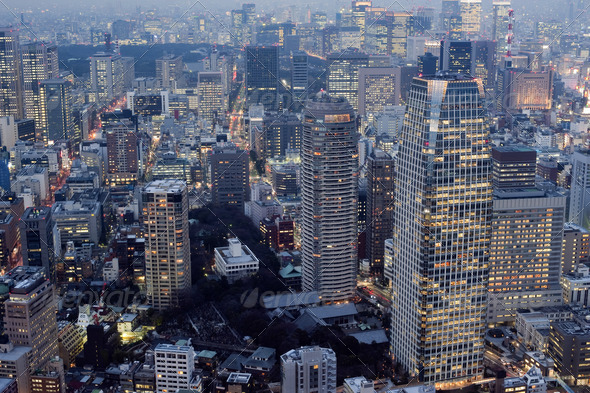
(380, 183)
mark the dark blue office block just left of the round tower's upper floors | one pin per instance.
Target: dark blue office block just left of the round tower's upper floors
(280, 133)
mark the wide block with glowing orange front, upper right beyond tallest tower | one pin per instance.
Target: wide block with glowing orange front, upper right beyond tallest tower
(524, 89)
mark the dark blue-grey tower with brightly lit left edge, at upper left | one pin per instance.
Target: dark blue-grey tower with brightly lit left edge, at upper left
(56, 113)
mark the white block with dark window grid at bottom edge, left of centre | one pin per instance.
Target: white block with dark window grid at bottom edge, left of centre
(175, 365)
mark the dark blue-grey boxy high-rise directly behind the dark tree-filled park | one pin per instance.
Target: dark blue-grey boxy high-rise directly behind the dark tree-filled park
(230, 175)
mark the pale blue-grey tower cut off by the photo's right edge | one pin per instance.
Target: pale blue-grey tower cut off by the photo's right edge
(579, 212)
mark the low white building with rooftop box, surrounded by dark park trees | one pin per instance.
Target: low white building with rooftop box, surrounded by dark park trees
(235, 261)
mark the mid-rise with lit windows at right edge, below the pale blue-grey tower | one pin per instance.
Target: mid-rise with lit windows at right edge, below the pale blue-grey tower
(575, 249)
